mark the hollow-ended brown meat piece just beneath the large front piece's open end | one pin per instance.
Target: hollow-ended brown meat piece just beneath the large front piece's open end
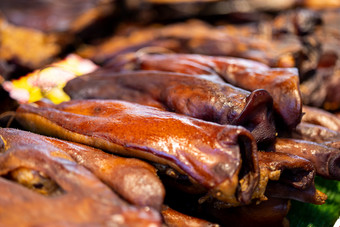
(290, 177)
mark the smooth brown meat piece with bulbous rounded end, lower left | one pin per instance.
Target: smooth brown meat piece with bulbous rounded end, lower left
(134, 180)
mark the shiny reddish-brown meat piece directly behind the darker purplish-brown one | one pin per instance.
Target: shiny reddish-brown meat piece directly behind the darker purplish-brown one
(281, 83)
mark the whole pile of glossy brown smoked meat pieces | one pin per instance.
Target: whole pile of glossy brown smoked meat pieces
(185, 123)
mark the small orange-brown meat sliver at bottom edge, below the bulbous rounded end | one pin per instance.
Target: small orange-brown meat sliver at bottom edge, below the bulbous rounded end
(174, 218)
